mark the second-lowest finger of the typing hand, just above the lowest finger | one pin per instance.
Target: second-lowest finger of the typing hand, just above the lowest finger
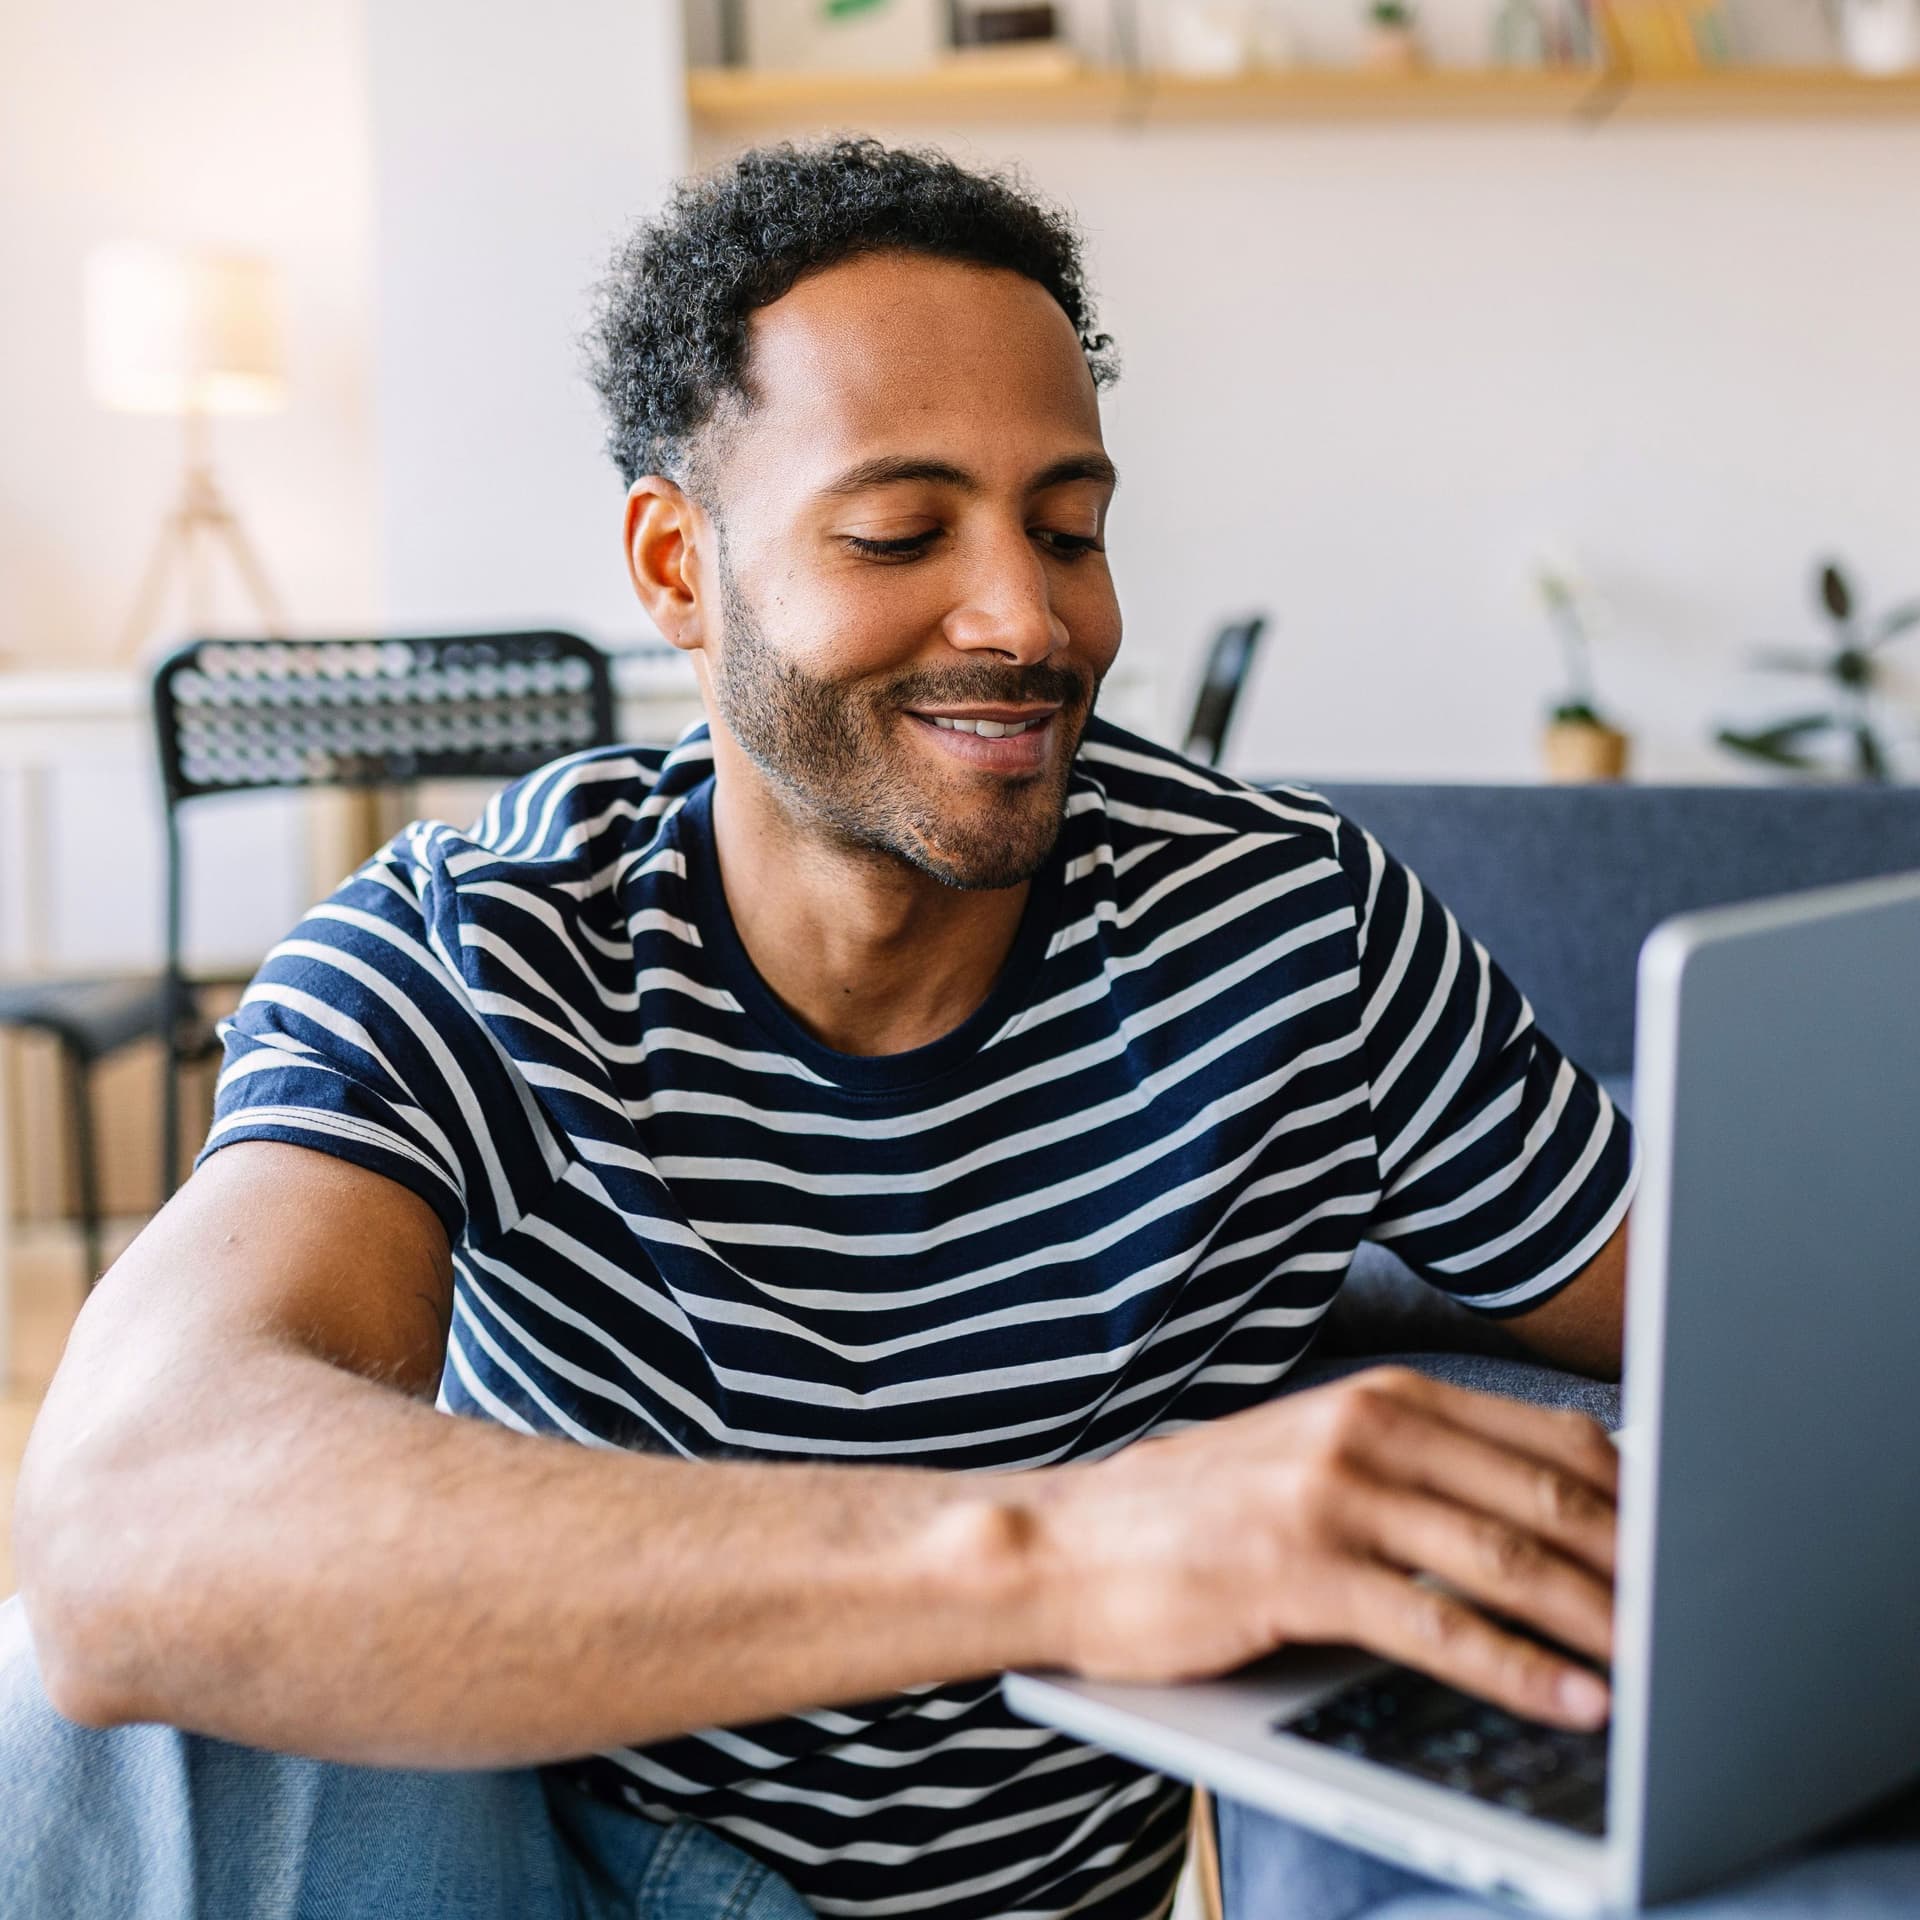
(1495, 1564)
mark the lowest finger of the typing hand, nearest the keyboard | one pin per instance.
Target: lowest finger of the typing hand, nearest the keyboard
(1445, 1637)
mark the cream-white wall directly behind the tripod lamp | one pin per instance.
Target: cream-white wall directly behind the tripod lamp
(199, 122)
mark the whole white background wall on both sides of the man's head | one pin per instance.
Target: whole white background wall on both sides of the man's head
(1370, 372)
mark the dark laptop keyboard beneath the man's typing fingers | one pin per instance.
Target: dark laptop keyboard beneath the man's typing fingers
(1424, 1727)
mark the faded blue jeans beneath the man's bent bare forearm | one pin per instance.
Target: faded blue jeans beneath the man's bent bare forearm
(145, 1823)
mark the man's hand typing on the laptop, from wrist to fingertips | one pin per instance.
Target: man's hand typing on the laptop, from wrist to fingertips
(1308, 1522)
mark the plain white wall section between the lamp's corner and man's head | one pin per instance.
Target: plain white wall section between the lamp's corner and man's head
(514, 147)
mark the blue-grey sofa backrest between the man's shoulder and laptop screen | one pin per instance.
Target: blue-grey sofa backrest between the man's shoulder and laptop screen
(1564, 884)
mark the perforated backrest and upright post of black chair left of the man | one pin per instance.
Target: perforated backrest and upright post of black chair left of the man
(274, 715)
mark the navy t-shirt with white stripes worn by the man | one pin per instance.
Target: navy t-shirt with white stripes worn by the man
(1234, 1038)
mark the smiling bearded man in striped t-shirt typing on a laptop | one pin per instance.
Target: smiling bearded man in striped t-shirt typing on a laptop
(811, 1161)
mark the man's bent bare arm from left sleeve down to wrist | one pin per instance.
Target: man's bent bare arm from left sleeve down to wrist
(239, 1516)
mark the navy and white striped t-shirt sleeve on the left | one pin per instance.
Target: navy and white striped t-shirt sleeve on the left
(358, 1040)
